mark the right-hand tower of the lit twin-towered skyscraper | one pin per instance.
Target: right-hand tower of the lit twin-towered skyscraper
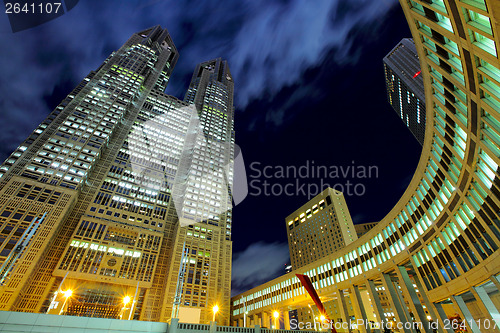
(207, 198)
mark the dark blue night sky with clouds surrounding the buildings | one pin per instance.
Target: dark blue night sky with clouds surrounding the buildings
(309, 90)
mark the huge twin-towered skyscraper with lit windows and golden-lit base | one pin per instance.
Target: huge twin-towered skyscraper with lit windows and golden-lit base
(118, 205)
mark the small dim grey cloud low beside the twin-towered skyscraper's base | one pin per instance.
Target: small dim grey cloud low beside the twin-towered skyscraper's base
(258, 263)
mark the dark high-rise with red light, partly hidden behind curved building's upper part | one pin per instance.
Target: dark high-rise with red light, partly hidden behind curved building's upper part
(405, 86)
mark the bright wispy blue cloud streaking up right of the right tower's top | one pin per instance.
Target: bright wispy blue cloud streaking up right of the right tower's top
(281, 40)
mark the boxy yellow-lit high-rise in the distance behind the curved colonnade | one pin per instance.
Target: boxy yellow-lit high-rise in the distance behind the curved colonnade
(320, 227)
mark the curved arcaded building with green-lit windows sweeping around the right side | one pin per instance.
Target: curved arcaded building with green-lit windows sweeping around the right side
(435, 255)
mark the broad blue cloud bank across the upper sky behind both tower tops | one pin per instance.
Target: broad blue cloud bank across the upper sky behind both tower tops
(269, 45)
